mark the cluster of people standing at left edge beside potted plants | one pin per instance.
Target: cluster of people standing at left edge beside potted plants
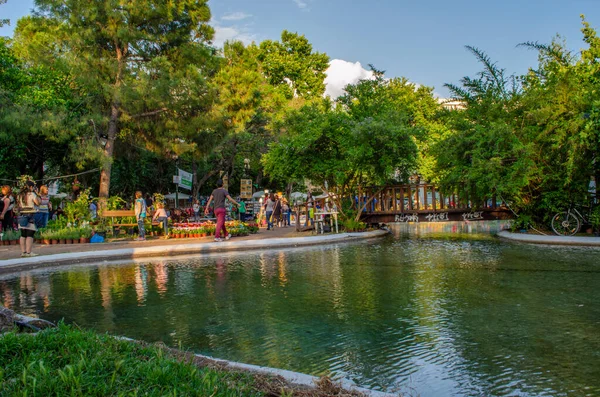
(33, 207)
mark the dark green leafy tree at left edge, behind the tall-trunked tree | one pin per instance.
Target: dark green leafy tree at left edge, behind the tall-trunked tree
(37, 106)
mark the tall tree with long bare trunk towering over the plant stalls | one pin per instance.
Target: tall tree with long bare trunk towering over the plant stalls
(143, 66)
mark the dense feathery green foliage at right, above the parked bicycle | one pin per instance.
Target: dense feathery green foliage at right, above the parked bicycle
(532, 140)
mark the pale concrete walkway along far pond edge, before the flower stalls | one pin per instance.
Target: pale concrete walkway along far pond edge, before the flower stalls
(71, 254)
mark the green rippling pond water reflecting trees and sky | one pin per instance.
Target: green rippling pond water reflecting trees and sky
(428, 311)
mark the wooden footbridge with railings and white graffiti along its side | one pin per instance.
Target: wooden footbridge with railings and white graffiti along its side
(424, 203)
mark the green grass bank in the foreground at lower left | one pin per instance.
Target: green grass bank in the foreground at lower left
(67, 361)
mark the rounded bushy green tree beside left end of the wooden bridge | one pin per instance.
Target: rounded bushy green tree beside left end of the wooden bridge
(345, 147)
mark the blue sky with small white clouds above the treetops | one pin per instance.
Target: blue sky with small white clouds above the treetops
(421, 40)
